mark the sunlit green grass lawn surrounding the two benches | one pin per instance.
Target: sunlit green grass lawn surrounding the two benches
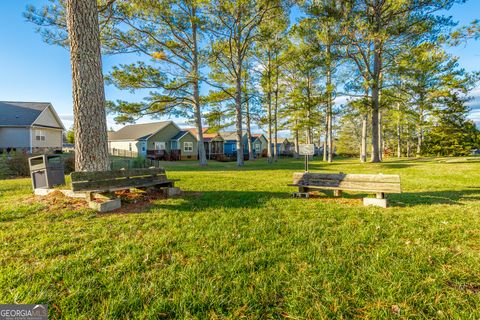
(236, 245)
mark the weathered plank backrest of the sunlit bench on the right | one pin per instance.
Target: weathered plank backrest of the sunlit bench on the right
(353, 182)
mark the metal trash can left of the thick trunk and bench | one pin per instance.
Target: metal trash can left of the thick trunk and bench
(47, 171)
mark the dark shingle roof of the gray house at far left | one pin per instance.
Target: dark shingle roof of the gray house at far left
(20, 113)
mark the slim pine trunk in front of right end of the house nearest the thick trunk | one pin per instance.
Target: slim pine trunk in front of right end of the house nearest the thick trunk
(202, 157)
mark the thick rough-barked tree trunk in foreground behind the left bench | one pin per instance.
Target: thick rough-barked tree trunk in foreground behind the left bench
(90, 123)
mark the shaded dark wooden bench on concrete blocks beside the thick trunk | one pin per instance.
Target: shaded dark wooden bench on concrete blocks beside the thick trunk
(102, 184)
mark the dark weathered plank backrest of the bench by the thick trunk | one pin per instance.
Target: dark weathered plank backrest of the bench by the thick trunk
(106, 180)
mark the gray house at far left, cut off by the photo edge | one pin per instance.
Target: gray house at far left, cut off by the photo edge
(30, 127)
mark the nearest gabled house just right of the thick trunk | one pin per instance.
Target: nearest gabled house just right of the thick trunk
(162, 140)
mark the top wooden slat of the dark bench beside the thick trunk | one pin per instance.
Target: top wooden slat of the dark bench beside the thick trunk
(109, 175)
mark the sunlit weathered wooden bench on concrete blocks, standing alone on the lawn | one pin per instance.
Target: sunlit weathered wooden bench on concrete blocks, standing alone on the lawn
(378, 184)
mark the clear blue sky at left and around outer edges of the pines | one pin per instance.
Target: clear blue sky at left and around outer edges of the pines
(31, 70)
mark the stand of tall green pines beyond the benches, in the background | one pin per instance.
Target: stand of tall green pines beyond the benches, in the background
(405, 96)
